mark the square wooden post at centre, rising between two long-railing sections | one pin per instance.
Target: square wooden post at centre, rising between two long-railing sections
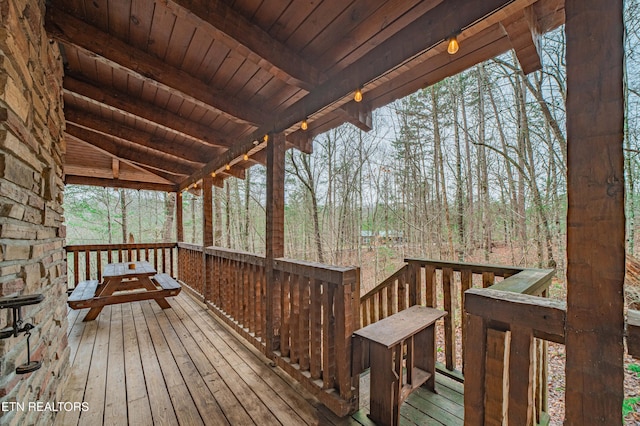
(274, 233)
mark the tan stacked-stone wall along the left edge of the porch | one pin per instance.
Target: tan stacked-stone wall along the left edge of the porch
(32, 258)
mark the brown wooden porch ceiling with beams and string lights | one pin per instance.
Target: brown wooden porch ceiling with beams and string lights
(160, 93)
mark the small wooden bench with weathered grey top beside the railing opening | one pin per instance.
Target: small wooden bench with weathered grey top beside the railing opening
(382, 345)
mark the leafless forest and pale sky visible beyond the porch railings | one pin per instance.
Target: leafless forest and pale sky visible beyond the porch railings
(472, 168)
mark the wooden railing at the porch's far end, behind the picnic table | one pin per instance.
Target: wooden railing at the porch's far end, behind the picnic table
(85, 262)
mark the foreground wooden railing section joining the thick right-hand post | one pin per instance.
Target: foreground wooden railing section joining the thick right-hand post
(511, 388)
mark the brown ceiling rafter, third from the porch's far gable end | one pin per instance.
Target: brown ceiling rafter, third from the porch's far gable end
(126, 104)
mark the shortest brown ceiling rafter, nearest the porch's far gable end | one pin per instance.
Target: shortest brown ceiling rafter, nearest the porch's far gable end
(131, 152)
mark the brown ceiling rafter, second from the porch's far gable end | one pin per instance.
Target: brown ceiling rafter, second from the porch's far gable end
(138, 137)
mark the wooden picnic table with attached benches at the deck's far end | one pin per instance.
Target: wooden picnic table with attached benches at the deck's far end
(123, 282)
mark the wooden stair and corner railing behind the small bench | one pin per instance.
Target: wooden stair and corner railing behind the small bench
(444, 285)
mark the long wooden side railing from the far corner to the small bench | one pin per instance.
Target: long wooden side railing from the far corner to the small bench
(314, 313)
